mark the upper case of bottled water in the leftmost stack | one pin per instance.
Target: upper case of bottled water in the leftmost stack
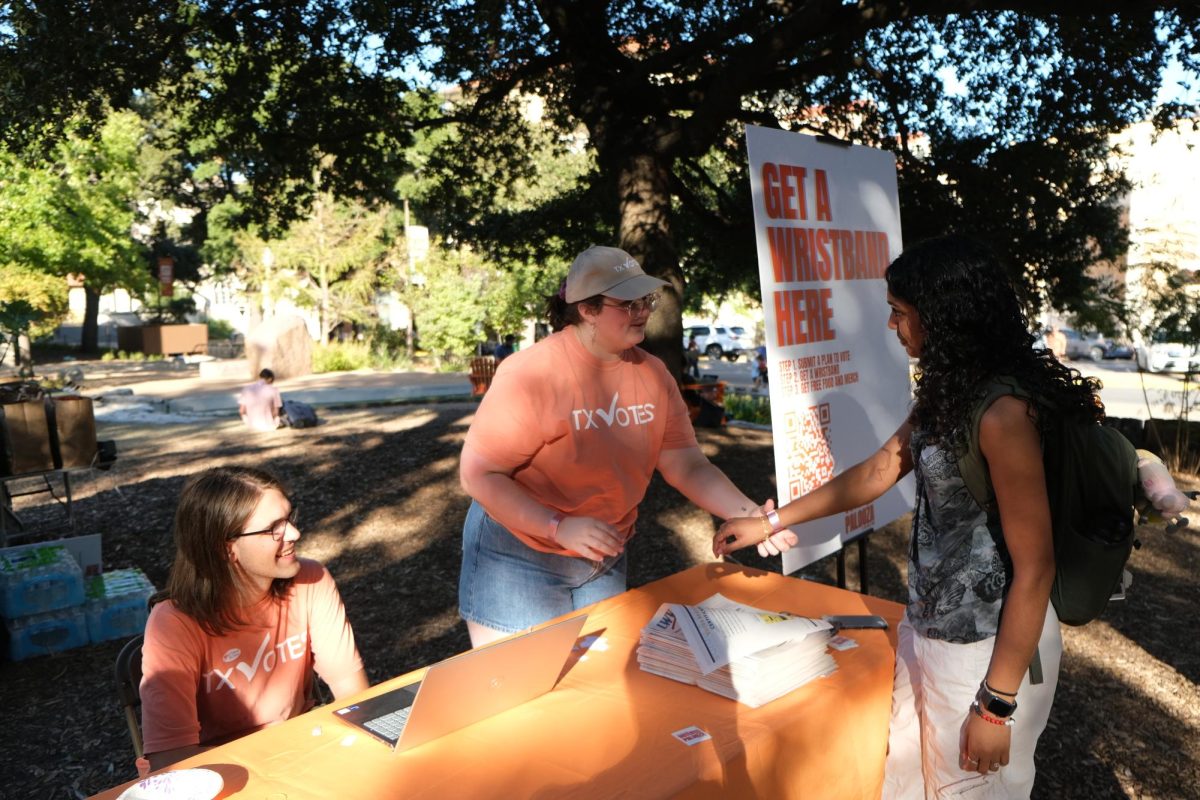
(39, 581)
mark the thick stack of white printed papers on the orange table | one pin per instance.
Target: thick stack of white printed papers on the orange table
(735, 651)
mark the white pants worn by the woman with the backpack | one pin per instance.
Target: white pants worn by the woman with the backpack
(935, 684)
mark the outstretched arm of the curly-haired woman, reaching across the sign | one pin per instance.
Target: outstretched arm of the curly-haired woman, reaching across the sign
(860, 485)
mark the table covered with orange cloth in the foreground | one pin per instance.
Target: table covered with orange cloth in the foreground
(605, 731)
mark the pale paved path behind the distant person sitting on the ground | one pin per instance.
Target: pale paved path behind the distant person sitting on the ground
(193, 396)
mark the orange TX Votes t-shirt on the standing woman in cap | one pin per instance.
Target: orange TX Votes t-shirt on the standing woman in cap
(580, 435)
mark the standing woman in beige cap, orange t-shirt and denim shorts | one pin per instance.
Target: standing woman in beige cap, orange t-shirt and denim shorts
(562, 452)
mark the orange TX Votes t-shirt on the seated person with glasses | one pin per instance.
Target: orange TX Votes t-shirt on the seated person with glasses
(199, 689)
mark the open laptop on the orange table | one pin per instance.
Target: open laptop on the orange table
(469, 688)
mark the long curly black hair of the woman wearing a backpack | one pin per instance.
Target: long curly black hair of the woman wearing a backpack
(976, 332)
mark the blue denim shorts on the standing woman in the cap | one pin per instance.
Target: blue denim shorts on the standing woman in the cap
(509, 587)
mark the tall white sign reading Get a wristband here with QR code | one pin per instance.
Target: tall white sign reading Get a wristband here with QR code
(827, 221)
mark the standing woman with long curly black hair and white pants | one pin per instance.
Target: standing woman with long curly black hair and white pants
(979, 615)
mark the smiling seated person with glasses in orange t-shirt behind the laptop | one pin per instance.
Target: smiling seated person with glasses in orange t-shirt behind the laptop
(243, 623)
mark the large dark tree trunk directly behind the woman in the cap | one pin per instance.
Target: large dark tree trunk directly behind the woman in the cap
(646, 234)
